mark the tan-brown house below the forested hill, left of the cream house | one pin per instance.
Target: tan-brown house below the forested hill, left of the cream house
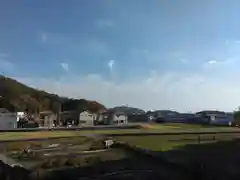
(47, 119)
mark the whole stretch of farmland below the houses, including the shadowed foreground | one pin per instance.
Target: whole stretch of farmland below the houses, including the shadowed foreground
(159, 151)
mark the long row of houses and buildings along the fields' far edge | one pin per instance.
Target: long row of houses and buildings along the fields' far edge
(106, 117)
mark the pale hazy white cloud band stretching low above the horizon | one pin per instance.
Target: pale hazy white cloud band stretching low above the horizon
(168, 91)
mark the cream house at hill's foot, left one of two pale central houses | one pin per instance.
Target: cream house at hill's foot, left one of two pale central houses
(87, 118)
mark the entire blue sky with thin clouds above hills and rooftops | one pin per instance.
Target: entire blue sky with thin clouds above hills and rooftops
(156, 54)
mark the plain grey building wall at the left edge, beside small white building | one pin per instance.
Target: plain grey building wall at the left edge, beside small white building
(8, 120)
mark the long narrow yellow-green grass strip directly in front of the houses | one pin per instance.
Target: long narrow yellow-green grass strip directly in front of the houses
(149, 128)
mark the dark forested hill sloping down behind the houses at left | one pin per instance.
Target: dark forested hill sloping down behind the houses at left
(16, 96)
